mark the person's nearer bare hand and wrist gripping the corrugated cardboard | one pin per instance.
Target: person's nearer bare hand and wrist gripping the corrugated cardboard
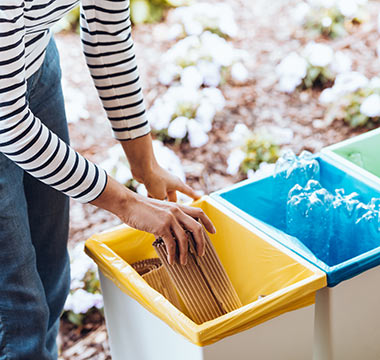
(163, 219)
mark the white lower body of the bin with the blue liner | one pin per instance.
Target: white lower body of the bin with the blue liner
(347, 319)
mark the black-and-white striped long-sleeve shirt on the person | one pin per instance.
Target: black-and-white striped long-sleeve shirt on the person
(108, 47)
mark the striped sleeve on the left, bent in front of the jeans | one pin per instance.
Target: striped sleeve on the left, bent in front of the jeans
(23, 138)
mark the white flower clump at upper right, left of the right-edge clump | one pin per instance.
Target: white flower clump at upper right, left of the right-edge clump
(317, 64)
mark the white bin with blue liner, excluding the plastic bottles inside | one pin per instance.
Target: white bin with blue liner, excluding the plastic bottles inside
(347, 323)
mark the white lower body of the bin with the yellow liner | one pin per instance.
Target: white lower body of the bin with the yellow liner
(136, 334)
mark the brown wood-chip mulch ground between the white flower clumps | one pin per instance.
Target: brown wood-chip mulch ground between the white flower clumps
(268, 34)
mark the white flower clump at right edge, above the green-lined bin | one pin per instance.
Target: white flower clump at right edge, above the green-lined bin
(353, 98)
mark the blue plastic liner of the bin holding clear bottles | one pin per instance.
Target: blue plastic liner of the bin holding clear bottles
(259, 203)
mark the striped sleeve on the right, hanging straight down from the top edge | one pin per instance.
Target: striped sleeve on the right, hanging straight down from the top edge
(108, 47)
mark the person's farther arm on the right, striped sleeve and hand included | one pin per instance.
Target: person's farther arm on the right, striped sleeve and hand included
(108, 47)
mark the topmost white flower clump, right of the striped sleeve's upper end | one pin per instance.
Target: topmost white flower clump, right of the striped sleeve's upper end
(200, 17)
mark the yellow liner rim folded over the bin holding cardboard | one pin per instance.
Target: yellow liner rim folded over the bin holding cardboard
(97, 248)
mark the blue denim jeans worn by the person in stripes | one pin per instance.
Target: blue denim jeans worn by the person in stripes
(34, 222)
